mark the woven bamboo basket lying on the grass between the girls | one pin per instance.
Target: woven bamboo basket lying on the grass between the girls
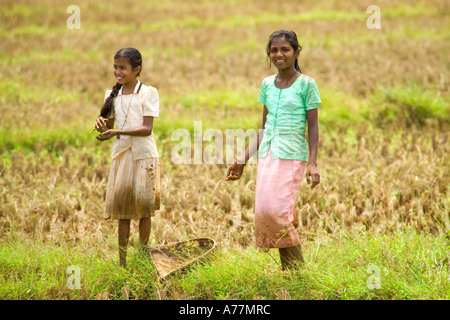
(176, 256)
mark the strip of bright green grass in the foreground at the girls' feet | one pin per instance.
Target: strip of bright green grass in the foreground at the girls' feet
(406, 265)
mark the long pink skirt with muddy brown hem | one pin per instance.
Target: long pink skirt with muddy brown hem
(277, 185)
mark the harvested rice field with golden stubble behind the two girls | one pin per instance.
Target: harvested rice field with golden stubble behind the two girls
(383, 124)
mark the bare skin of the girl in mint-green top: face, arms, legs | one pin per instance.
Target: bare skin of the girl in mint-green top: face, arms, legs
(283, 56)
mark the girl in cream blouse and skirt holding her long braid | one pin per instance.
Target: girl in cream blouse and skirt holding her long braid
(133, 184)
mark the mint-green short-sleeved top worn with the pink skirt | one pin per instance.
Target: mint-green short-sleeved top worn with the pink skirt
(286, 121)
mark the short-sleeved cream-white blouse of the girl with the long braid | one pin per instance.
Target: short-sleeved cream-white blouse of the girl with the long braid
(129, 112)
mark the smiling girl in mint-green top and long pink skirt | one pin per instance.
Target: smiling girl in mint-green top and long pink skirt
(290, 100)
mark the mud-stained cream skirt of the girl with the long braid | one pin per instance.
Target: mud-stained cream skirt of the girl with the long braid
(133, 187)
